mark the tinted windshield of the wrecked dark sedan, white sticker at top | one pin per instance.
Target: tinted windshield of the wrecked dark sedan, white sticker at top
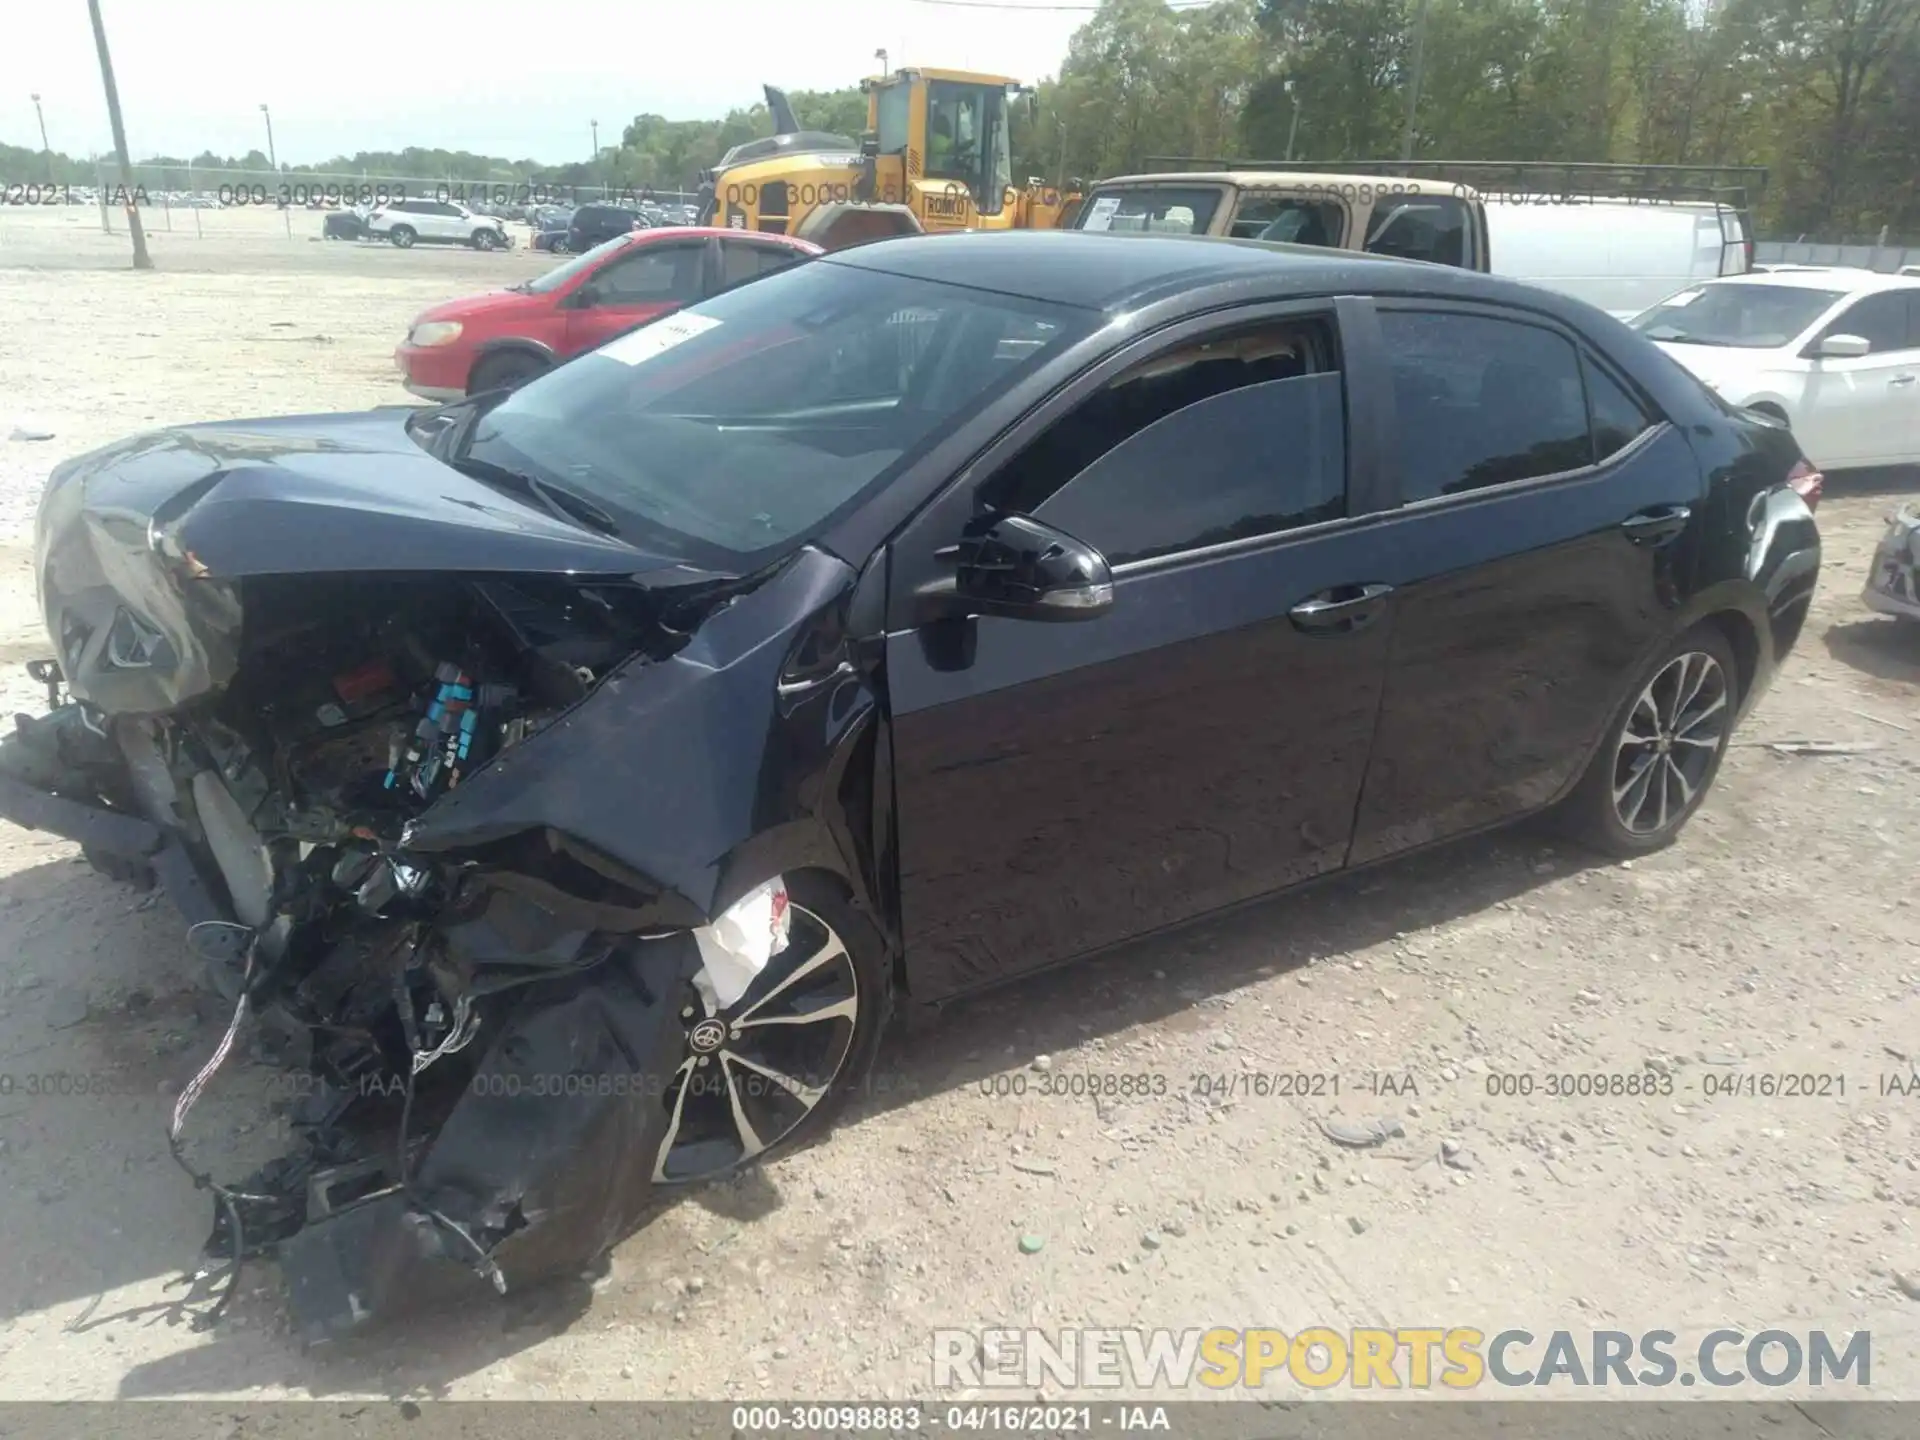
(731, 431)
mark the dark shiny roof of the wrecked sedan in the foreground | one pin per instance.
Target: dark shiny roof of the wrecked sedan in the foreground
(1124, 272)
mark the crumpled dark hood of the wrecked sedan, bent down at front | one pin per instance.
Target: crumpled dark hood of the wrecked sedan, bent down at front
(137, 544)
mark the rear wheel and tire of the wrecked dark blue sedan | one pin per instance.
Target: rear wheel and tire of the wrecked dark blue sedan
(1639, 796)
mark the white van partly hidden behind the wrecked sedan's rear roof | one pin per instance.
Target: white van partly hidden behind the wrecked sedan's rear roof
(1618, 254)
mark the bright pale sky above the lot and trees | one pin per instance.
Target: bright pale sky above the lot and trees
(498, 78)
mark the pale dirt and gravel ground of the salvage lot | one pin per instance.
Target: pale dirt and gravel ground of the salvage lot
(1781, 936)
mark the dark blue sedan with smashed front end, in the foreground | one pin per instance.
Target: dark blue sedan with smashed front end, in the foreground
(573, 780)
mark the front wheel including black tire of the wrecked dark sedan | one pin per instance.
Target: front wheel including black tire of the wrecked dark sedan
(704, 1140)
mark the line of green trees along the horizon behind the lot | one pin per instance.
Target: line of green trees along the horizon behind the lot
(1823, 93)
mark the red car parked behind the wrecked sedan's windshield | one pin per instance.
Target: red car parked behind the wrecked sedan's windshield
(508, 337)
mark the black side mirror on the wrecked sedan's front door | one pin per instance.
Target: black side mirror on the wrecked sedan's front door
(1022, 569)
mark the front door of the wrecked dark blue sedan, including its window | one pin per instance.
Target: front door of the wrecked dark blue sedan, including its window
(1067, 786)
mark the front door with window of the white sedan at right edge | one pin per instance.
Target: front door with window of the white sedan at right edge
(1867, 410)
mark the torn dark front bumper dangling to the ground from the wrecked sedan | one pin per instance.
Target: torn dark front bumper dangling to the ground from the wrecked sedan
(535, 1155)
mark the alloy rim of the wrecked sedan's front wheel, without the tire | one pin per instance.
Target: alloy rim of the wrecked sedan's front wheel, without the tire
(757, 1070)
